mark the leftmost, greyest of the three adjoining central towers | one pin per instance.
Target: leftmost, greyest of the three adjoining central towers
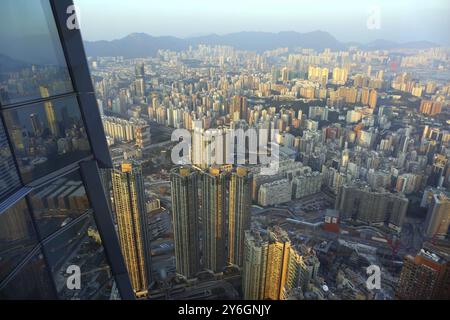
(185, 212)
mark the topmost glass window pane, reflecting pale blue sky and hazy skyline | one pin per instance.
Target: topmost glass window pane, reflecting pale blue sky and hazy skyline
(32, 63)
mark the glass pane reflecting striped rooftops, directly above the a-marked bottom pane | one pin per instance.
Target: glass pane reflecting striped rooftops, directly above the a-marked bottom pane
(58, 203)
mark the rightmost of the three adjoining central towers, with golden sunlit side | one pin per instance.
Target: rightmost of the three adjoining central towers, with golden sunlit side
(239, 214)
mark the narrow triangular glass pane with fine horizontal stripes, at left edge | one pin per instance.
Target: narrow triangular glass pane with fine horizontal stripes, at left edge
(9, 179)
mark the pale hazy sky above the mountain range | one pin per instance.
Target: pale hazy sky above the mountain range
(400, 20)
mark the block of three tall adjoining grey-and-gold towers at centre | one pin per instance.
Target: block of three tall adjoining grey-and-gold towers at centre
(221, 198)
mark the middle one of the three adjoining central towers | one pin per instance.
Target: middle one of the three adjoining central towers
(214, 211)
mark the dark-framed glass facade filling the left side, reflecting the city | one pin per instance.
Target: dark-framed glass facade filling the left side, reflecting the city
(55, 222)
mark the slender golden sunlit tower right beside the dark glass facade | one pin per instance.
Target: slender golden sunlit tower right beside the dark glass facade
(129, 203)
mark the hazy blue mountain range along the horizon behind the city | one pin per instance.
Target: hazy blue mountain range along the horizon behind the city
(138, 45)
